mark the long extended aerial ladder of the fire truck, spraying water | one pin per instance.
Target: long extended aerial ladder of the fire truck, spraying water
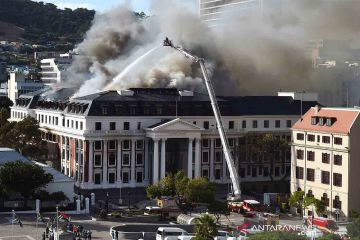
(236, 192)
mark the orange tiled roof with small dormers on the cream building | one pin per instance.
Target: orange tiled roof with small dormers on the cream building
(342, 120)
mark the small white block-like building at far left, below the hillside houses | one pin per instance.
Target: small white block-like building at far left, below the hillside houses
(17, 85)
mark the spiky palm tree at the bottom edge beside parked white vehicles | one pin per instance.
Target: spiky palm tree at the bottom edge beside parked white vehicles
(205, 228)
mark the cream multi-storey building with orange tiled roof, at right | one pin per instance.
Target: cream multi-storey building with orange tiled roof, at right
(325, 157)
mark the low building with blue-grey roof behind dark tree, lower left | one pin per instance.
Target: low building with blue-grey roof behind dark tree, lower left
(60, 182)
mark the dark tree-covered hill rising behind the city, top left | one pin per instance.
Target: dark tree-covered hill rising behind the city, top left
(44, 22)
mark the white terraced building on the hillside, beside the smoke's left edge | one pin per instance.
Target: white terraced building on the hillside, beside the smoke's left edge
(54, 70)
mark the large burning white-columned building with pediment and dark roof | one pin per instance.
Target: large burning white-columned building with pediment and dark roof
(132, 138)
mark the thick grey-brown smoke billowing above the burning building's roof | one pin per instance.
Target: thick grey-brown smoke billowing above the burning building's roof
(259, 52)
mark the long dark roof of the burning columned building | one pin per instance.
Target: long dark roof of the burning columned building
(161, 102)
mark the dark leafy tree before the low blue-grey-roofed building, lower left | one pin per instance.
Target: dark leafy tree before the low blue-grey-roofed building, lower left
(24, 178)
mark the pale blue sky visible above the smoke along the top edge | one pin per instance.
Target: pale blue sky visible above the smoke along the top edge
(103, 5)
